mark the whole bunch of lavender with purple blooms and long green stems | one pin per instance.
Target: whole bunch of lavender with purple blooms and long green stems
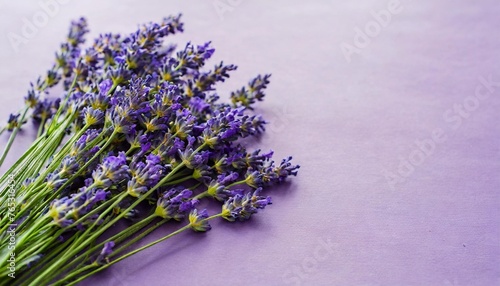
(138, 134)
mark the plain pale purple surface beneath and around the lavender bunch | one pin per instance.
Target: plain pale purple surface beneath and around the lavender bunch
(347, 123)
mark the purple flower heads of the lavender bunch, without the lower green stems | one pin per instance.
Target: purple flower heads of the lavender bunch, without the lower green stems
(146, 124)
